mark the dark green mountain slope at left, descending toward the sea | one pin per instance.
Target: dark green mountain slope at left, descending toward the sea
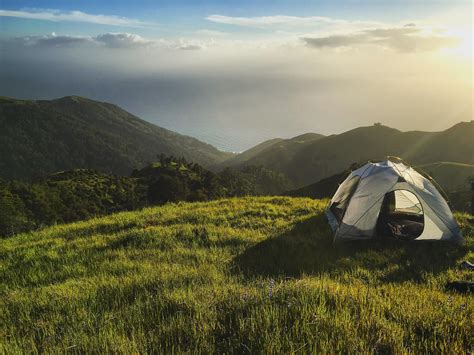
(41, 137)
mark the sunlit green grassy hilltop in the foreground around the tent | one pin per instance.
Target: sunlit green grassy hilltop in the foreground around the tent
(248, 275)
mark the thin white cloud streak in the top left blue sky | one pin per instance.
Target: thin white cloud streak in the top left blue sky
(75, 16)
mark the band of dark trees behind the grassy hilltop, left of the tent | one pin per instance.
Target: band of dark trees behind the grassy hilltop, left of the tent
(81, 194)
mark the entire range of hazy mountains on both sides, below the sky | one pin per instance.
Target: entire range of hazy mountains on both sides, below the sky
(42, 137)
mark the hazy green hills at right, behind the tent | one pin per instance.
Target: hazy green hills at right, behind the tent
(326, 156)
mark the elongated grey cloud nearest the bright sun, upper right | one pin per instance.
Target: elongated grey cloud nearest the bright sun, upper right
(404, 39)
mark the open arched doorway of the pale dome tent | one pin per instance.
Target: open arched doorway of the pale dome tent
(401, 216)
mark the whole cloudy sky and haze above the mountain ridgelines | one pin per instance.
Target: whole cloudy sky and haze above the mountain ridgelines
(235, 73)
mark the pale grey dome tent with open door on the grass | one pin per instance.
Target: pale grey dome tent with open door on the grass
(390, 199)
